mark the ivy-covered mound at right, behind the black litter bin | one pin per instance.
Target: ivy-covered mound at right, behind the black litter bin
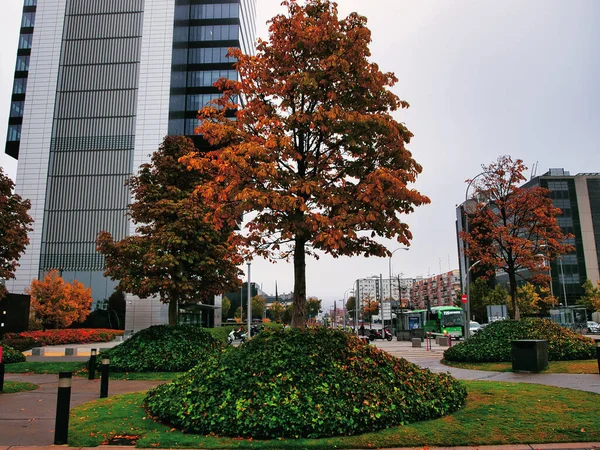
(493, 343)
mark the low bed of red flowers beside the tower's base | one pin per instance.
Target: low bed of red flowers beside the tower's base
(68, 336)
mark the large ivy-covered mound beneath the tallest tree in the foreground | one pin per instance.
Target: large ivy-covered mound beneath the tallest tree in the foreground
(303, 383)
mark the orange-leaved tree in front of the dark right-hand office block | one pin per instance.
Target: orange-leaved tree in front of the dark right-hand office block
(512, 229)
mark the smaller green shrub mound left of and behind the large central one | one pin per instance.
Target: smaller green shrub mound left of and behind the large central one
(162, 348)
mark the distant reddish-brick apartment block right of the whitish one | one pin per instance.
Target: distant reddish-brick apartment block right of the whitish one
(437, 290)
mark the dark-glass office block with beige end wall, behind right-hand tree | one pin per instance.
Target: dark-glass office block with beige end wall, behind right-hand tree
(578, 197)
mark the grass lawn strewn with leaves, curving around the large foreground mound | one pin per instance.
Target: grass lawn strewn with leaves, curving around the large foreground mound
(496, 413)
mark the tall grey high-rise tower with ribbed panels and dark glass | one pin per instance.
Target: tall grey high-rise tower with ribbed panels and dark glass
(98, 84)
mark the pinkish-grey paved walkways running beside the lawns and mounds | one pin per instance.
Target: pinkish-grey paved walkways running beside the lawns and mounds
(27, 418)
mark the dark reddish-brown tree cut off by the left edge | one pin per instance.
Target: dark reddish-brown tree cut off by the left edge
(15, 223)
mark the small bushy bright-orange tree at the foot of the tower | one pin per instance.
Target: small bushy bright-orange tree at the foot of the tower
(56, 303)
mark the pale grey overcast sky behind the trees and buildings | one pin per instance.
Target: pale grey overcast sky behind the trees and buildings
(484, 78)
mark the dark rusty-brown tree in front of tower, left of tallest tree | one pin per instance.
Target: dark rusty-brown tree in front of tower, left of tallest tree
(176, 253)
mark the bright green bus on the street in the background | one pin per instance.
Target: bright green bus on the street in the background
(442, 319)
